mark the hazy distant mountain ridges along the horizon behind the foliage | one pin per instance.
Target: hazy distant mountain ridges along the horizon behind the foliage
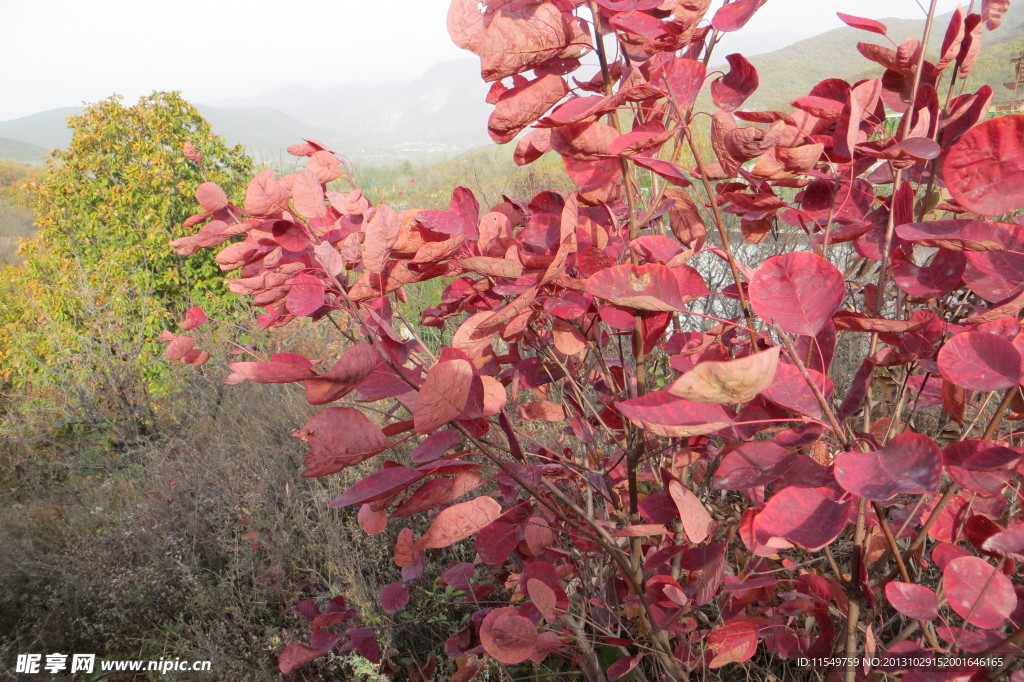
(444, 113)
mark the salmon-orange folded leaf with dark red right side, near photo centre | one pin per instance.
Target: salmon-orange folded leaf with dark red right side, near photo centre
(450, 390)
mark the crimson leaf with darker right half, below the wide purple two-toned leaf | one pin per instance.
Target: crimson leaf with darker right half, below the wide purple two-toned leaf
(812, 518)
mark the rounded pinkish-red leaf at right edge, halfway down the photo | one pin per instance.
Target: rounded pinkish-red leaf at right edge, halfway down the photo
(980, 362)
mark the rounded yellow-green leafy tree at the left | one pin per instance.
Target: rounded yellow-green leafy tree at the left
(79, 319)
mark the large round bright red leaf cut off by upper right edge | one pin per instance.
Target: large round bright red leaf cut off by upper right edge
(985, 170)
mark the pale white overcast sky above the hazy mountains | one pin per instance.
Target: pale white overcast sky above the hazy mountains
(65, 53)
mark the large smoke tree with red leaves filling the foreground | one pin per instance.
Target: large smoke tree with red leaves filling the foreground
(642, 440)
